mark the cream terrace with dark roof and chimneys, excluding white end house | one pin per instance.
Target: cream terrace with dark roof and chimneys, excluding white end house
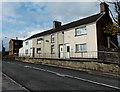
(83, 38)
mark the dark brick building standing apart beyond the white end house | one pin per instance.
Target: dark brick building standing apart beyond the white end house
(14, 46)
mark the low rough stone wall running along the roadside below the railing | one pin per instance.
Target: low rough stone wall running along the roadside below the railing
(78, 65)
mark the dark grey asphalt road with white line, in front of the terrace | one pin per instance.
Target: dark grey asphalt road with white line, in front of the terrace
(42, 77)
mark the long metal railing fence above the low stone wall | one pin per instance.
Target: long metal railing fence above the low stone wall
(102, 55)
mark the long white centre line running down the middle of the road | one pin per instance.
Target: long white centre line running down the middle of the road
(64, 75)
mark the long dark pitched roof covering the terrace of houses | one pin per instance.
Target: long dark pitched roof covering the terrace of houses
(73, 24)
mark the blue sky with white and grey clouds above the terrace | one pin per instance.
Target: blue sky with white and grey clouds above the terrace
(23, 19)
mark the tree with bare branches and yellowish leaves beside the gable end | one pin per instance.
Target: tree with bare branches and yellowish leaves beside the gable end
(114, 29)
